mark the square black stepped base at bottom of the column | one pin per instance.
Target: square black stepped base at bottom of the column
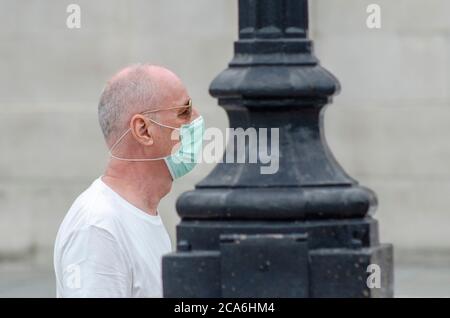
(279, 259)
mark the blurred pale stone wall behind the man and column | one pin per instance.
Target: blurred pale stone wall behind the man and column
(389, 128)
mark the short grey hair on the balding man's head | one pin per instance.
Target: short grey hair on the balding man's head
(131, 91)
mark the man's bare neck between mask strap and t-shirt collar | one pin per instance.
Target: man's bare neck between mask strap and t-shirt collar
(143, 184)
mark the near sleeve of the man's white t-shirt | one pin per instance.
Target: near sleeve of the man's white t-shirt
(94, 265)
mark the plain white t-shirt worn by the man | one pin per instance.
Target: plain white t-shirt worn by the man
(106, 247)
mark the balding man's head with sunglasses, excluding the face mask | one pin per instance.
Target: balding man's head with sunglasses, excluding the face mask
(127, 102)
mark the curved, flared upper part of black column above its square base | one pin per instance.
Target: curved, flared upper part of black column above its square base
(275, 81)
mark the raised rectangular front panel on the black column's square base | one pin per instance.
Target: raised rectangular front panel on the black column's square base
(251, 265)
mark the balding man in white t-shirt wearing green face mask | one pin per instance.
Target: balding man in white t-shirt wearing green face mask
(112, 239)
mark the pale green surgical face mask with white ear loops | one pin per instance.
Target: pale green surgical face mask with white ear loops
(186, 157)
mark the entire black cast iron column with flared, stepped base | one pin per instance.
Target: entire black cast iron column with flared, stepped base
(305, 231)
